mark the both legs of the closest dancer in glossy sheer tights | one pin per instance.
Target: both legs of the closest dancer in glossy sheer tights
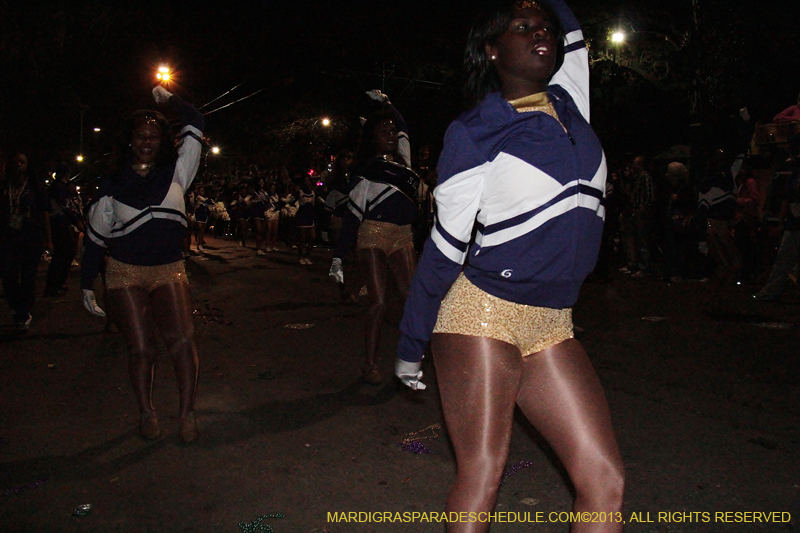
(480, 381)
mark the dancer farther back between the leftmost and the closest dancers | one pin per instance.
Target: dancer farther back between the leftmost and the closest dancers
(381, 209)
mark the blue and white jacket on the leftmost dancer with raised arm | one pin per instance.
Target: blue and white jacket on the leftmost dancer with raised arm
(142, 220)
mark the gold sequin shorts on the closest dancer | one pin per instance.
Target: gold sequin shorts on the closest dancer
(467, 310)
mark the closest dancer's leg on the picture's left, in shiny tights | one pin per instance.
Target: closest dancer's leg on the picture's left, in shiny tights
(478, 380)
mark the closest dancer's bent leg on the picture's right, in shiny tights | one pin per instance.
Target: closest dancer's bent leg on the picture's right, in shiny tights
(561, 396)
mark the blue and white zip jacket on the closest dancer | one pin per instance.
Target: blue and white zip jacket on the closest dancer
(533, 191)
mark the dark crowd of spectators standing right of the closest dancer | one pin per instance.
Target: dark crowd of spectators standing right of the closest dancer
(671, 222)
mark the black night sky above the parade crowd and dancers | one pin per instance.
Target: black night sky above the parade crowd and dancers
(312, 59)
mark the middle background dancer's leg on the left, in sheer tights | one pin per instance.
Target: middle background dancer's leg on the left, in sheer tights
(374, 266)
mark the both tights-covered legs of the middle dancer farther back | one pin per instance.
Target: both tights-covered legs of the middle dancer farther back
(375, 264)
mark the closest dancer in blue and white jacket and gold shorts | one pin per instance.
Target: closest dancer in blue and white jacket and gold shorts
(525, 173)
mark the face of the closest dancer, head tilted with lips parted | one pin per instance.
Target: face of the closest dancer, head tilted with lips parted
(525, 55)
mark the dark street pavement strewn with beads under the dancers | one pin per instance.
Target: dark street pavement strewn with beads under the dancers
(702, 384)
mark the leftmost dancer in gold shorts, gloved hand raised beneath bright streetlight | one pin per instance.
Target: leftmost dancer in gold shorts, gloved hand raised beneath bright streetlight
(138, 216)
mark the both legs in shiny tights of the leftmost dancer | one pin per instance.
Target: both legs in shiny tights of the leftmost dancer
(168, 308)
